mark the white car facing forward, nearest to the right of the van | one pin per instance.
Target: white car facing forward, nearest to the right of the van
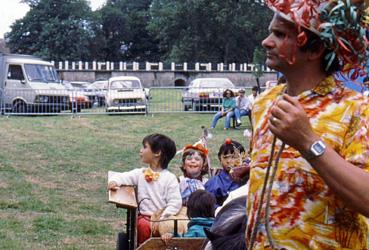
(125, 93)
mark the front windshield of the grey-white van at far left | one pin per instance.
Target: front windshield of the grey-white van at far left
(41, 73)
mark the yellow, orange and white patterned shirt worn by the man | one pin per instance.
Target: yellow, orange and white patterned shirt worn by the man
(304, 212)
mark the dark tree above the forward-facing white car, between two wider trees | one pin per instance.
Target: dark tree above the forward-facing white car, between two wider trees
(124, 26)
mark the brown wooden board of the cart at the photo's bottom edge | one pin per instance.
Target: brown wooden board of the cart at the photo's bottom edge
(156, 243)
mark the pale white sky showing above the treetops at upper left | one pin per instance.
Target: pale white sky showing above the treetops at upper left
(11, 10)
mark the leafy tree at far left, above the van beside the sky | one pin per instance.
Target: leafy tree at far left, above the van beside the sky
(53, 29)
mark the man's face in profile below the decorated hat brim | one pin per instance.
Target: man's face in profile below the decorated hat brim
(281, 41)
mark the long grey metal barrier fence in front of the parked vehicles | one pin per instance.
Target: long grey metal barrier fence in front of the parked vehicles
(132, 101)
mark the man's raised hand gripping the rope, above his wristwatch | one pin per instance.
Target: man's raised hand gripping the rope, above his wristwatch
(289, 122)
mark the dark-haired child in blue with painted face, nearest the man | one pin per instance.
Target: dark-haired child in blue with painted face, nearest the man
(234, 173)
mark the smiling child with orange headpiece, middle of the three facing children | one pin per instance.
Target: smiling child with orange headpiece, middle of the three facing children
(194, 167)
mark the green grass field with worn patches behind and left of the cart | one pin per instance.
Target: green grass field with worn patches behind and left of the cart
(53, 174)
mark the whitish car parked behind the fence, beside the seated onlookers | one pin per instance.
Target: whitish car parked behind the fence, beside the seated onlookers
(205, 94)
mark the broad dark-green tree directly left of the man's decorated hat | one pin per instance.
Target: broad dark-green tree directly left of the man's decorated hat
(208, 30)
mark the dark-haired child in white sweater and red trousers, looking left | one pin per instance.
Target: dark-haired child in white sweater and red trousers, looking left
(157, 188)
